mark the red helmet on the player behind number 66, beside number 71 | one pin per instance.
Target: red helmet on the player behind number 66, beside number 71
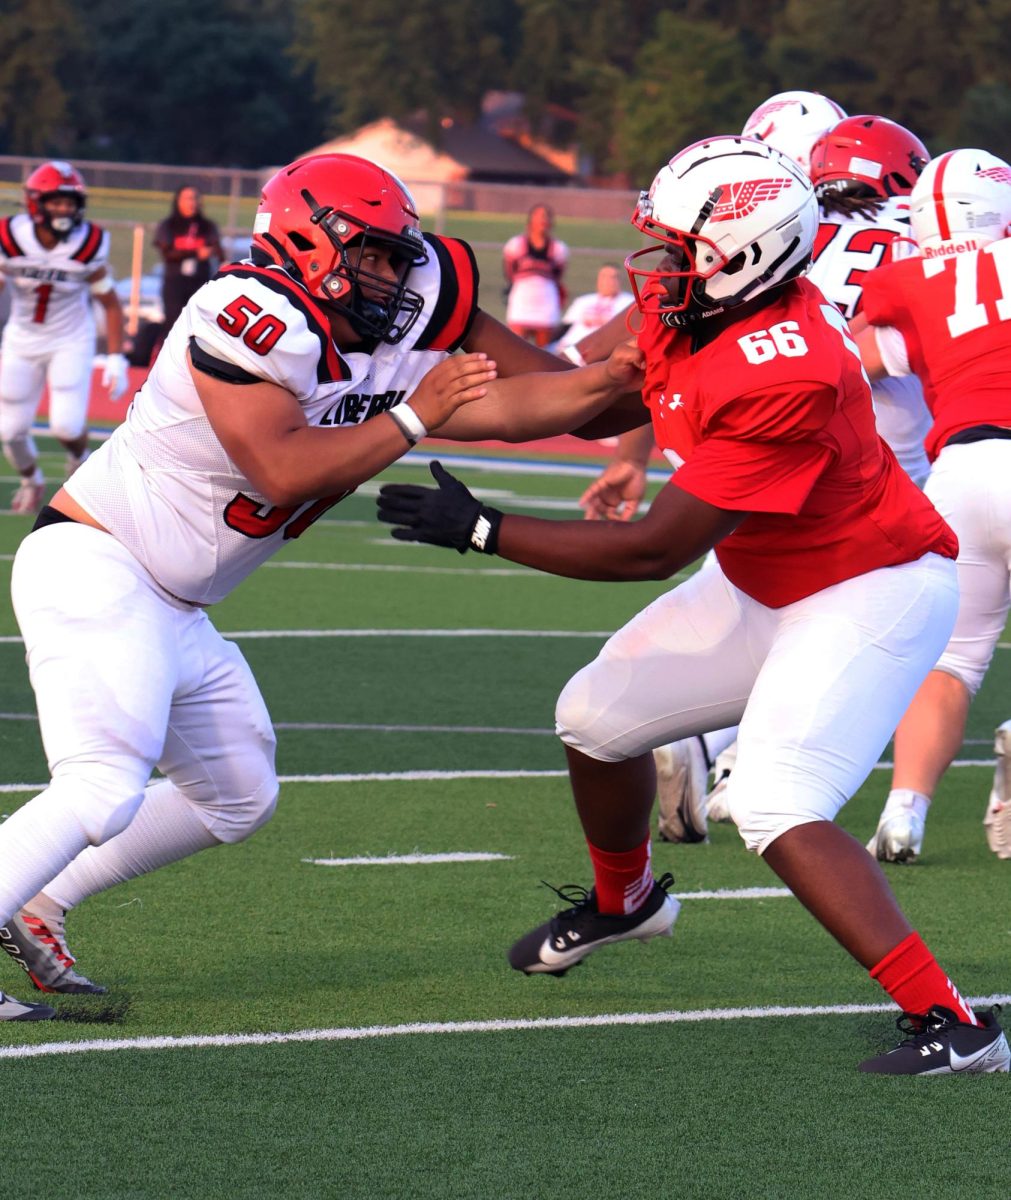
(868, 157)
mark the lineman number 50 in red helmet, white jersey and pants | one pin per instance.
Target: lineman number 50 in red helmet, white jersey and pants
(288, 381)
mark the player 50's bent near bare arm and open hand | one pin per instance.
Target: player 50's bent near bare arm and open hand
(264, 431)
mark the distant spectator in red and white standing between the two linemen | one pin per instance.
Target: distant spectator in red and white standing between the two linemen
(534, 263)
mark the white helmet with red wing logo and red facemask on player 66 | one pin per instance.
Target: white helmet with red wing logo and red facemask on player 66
(734, 218)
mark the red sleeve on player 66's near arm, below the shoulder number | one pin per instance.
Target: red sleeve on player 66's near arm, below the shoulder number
(761, 452)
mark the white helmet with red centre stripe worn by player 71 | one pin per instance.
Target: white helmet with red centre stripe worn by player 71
(961, 202)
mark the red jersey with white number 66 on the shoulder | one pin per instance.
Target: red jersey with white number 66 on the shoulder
(774, 418)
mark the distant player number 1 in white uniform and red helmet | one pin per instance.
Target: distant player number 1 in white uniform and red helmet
(56, 263)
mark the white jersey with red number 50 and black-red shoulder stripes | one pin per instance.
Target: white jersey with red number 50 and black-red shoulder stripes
(164, 484)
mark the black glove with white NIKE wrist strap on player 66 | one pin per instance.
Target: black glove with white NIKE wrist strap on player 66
(447, 515)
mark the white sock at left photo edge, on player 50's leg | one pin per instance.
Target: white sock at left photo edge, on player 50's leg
(37, 843)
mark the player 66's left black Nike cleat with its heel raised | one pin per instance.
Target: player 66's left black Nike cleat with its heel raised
(575, 933)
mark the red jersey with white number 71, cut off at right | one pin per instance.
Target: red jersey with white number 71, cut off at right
(954, 313)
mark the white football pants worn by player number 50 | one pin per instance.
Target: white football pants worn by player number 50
(128, 679)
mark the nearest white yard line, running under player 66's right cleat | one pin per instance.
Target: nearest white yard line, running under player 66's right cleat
(372, 1033)
